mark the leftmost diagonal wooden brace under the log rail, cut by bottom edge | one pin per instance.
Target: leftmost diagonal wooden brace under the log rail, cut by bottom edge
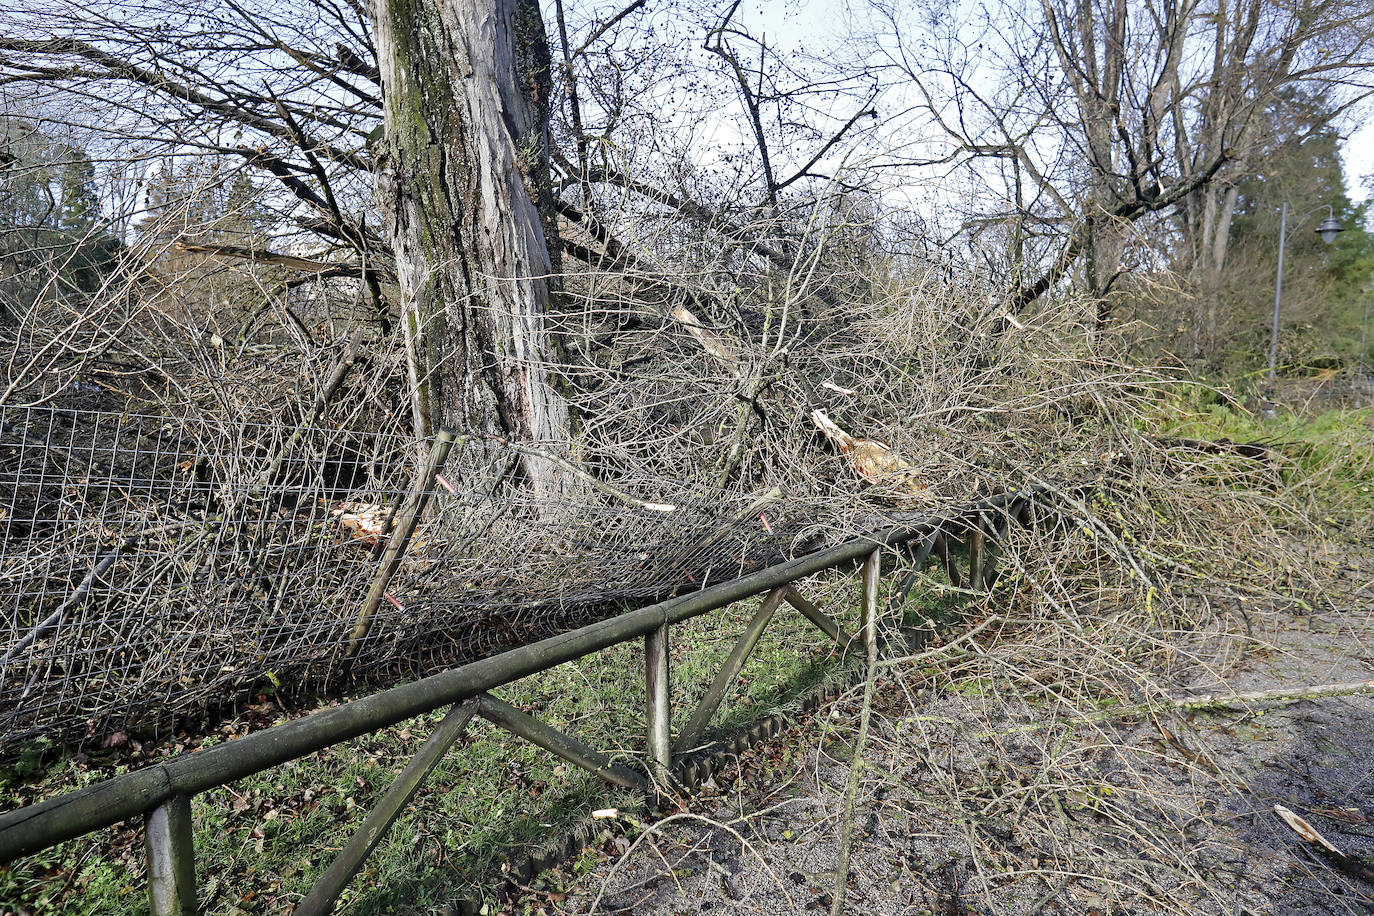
(332, 884)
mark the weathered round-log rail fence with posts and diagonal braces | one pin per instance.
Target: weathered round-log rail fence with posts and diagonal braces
(163, 793)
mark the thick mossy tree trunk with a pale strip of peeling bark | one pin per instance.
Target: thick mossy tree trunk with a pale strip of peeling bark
(460, 172)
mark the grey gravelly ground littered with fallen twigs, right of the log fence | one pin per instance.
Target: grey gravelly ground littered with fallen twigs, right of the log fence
(971, 804)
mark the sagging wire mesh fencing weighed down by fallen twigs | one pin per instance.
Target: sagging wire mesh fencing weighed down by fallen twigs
(156, 572)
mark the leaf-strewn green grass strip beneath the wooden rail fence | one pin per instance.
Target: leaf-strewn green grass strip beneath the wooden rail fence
(263, 841)
